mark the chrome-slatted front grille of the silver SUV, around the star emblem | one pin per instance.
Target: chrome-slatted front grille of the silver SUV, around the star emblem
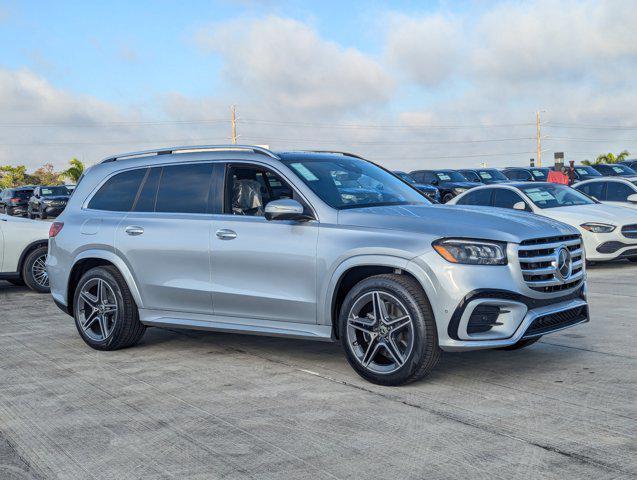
(538, 263)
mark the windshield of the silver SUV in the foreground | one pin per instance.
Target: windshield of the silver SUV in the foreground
(353, 183)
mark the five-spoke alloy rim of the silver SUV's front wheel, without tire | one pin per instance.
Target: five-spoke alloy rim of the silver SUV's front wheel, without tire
(380, 332)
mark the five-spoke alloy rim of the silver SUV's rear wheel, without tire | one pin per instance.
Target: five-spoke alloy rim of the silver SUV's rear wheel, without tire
(97, 309)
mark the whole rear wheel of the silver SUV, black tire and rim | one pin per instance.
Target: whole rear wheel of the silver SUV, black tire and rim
(119, 326)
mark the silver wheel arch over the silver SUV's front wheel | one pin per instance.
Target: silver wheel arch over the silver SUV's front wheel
(355, 269)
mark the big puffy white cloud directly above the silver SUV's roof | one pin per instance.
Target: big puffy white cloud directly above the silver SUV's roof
(283, 62)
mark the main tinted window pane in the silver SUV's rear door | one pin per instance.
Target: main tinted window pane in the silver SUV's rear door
(185, 189)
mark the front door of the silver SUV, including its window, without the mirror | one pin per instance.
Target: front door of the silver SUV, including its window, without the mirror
(262, 269)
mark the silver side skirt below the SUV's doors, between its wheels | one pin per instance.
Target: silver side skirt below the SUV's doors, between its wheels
(305, 331)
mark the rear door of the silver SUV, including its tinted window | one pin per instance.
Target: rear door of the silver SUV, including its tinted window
(166, 238)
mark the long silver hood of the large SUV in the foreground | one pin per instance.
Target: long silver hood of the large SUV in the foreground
(486, 223)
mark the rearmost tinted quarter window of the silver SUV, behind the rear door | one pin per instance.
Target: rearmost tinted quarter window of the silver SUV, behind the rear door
(119, 192)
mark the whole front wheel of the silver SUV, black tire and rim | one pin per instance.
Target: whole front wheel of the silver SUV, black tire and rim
(416, 342)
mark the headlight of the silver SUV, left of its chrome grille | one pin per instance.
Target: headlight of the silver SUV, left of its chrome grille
(471, 252)
